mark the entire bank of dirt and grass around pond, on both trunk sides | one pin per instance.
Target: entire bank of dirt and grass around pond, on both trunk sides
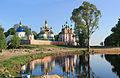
(11, 60)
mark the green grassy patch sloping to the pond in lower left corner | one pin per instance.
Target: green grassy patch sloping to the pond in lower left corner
(13, 65)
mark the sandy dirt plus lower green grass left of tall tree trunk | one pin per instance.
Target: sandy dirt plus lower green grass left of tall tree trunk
(11, 60)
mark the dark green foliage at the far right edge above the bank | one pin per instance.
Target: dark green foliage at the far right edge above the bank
(114, 38)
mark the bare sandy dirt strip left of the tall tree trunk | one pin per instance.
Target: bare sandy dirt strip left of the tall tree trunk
(6, 54)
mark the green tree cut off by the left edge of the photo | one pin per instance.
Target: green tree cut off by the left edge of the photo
(3, 44)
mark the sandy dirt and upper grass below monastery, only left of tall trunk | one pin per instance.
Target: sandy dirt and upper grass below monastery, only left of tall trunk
(32, 49)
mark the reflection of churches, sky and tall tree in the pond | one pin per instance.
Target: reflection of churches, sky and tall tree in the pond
(77, 66)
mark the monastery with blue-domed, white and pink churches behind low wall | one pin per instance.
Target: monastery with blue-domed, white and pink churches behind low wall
(46, 36)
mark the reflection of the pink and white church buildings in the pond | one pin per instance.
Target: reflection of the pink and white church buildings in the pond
(48, 64)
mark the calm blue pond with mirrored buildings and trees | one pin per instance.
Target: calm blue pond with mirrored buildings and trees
(76, 66)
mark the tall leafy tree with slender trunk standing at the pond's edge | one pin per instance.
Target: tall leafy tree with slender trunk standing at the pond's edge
(87, 17)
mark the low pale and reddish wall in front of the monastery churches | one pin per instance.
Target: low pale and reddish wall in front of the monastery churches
(42, 42)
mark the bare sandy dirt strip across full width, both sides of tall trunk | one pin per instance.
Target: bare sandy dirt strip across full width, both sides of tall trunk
(6, 54)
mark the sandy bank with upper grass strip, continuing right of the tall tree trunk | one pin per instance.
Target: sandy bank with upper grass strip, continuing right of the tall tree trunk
(32, 49)
